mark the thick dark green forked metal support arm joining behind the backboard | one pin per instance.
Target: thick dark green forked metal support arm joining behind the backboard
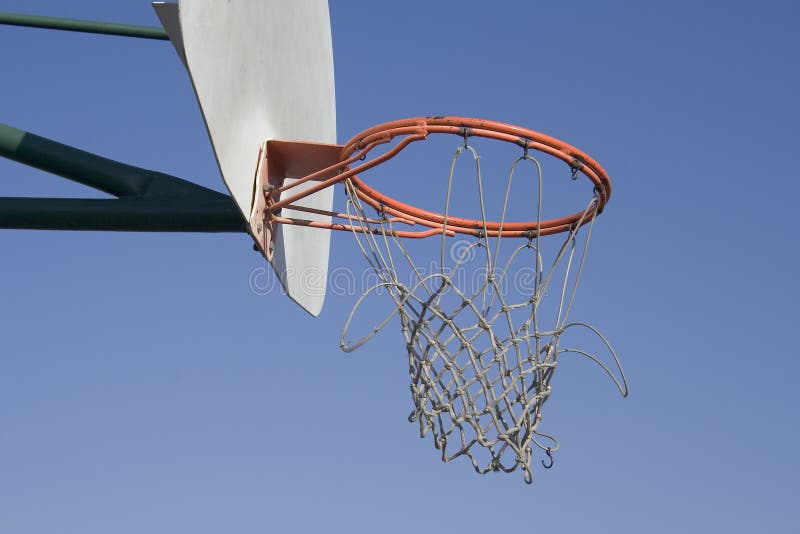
(148, 201)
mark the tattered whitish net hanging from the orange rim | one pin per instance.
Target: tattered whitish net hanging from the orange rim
(484, 329)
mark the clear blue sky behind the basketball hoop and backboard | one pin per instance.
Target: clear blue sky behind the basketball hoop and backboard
(145, 387)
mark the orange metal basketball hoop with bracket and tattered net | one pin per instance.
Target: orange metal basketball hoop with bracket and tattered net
(481, 360)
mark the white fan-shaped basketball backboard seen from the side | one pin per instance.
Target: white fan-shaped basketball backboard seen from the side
(263, 70)
